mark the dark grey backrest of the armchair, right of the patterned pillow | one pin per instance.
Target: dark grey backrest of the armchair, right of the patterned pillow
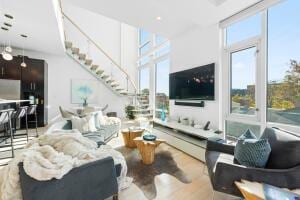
(285, 148)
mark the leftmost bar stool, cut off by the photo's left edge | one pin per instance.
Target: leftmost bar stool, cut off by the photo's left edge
(5, 120)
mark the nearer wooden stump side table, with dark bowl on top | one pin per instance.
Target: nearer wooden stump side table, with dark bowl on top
(147, 149)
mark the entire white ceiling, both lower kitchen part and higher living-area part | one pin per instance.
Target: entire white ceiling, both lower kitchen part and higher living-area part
(37, 18)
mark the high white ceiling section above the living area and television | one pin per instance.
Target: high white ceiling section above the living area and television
(177, 16)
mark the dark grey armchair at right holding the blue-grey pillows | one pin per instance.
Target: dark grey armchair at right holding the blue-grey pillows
(282, 170)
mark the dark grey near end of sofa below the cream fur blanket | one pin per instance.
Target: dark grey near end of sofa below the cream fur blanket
(93, 181)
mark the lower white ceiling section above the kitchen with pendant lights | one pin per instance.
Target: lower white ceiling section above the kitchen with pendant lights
(35, 18)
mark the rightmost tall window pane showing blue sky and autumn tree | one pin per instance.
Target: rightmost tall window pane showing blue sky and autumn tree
(283, 98)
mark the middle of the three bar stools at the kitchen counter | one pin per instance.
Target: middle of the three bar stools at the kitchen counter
(16, 115)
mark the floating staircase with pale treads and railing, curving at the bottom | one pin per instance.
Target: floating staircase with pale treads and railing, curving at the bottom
(121, 87)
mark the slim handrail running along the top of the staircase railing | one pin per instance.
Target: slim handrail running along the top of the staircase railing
(99, 48)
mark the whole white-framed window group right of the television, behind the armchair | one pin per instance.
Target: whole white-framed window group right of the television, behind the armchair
(262, 57)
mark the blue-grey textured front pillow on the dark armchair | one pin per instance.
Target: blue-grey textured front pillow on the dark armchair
(252, 152)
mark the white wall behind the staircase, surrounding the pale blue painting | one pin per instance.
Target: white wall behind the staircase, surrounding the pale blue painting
(119, 40)
